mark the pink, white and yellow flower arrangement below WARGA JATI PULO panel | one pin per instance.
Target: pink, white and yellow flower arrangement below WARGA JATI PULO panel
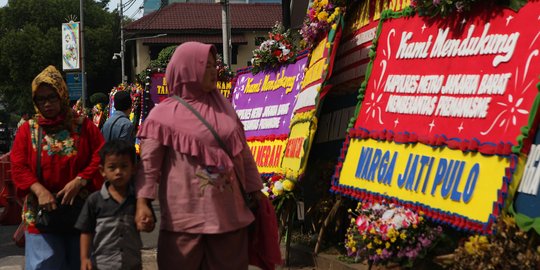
(386, 233)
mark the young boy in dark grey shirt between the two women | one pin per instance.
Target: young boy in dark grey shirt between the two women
(109, 237)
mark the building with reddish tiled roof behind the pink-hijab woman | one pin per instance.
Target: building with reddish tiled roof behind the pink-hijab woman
(182, 22)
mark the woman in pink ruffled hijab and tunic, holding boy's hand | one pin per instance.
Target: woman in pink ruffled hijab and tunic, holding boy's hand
(204, 217)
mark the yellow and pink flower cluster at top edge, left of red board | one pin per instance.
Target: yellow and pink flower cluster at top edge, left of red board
(321, 16)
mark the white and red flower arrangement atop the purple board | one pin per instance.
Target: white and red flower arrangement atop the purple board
(279, 49)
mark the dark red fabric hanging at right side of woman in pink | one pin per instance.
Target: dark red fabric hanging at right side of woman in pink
(264, 250)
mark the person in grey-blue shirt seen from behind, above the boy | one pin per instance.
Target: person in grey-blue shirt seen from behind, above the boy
(118, 126)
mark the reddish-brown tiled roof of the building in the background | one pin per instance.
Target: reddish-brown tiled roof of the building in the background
(207, 16)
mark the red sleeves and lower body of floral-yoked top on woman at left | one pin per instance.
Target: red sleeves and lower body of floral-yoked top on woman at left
(58, 170)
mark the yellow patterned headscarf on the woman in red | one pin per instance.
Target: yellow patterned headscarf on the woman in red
(52, 77)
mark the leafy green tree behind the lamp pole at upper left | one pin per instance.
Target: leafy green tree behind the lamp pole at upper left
(30, 40)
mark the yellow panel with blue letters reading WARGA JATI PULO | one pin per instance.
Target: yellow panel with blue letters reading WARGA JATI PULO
(440, 178)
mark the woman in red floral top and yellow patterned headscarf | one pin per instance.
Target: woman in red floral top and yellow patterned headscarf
(69, 165)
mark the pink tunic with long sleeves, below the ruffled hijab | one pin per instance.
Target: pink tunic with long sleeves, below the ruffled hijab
(188, 203)
